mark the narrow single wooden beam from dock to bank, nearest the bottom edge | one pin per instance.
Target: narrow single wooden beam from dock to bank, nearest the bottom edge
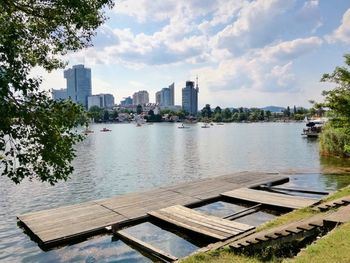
(146, 247)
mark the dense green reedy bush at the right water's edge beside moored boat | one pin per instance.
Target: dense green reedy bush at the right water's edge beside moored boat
(335, 142)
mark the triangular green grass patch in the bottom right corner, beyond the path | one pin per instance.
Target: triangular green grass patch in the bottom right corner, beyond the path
(333, 247)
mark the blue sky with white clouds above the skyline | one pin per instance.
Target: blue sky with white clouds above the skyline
(245, 53)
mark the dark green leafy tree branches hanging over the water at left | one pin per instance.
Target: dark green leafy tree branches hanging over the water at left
(36, 133)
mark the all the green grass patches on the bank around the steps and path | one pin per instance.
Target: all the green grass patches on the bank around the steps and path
(332, 248)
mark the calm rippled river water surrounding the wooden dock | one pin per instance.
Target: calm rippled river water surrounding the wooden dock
(129, 159)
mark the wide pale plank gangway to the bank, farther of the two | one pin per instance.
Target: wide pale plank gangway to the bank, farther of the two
(268, 198)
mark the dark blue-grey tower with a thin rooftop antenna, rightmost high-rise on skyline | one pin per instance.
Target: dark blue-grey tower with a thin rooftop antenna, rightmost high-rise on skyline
(190, 97)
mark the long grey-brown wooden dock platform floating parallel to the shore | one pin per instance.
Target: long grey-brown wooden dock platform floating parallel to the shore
(61, 225)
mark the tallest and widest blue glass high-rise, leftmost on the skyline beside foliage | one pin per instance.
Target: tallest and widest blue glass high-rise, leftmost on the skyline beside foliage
(78, 84)
